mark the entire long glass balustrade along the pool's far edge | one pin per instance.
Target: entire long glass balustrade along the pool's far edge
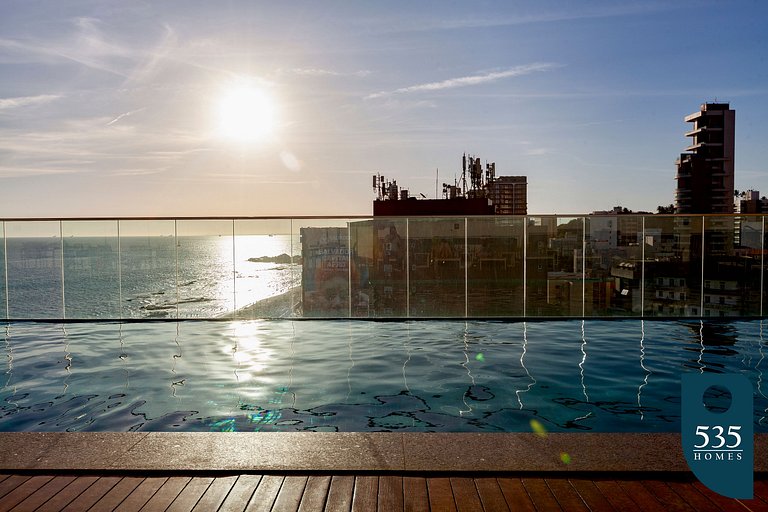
(543, 266)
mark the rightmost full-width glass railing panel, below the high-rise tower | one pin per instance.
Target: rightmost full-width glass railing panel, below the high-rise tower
(732, 250)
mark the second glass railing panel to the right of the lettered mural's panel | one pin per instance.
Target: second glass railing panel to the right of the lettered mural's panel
(437, 272)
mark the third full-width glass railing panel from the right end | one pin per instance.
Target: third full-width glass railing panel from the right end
(613, 265)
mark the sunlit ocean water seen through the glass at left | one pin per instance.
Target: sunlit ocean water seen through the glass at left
(134, 277)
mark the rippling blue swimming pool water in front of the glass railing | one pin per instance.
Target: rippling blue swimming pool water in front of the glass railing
(316, 375)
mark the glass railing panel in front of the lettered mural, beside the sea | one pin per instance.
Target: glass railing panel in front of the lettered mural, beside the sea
(325, 270)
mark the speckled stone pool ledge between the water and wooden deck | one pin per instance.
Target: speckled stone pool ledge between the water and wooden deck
(333, 452)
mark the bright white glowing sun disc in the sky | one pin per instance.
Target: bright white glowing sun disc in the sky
(246, 113)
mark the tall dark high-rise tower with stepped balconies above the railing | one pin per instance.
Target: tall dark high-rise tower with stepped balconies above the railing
(705, 171)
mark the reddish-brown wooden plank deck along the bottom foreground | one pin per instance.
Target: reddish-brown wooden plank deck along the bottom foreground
(37, 491)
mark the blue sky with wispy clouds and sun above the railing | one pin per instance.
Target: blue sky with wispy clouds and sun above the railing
(248, 108)
